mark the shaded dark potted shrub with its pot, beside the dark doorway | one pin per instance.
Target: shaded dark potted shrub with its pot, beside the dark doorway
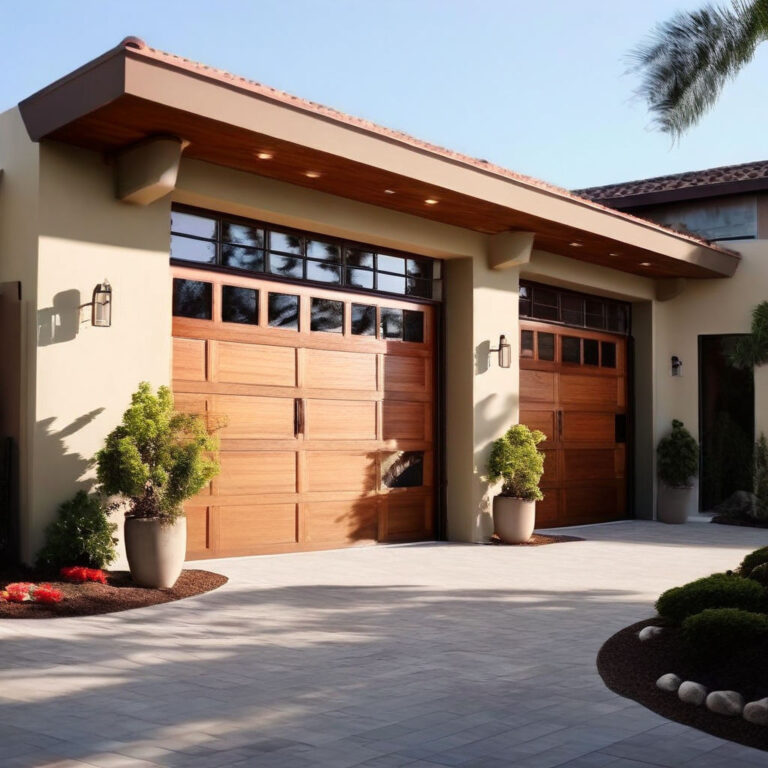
(677, 465)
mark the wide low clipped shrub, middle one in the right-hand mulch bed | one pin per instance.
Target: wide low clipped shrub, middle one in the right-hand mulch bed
(719, 590)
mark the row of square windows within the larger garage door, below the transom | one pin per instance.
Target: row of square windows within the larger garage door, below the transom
(194, 298)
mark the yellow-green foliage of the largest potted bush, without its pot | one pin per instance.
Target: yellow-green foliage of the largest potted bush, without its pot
(157, 457)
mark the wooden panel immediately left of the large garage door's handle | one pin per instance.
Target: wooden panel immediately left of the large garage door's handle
(254, 418)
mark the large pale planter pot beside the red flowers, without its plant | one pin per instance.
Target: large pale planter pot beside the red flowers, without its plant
(155, 550)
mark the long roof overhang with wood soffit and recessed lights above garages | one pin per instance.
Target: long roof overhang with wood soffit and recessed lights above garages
(133, 93)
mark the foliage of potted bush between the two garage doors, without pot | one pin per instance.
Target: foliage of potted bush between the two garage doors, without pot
(517, 461)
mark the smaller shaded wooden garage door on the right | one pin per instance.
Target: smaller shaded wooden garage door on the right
(573, 387)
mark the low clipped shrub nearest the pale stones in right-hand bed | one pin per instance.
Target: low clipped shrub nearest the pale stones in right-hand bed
(718, 633)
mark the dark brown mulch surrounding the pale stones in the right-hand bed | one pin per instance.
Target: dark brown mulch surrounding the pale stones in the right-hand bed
(631, 668)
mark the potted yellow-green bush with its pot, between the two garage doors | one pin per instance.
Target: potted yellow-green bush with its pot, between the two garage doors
(519, 464)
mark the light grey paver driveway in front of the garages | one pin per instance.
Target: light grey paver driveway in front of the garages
(425, 655)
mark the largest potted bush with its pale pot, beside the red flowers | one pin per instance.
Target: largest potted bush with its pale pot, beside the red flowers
(156, 459)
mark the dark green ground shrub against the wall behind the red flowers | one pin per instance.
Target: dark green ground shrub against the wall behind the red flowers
(82, 535)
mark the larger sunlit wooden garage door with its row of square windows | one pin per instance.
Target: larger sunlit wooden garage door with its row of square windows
(329, 406)
